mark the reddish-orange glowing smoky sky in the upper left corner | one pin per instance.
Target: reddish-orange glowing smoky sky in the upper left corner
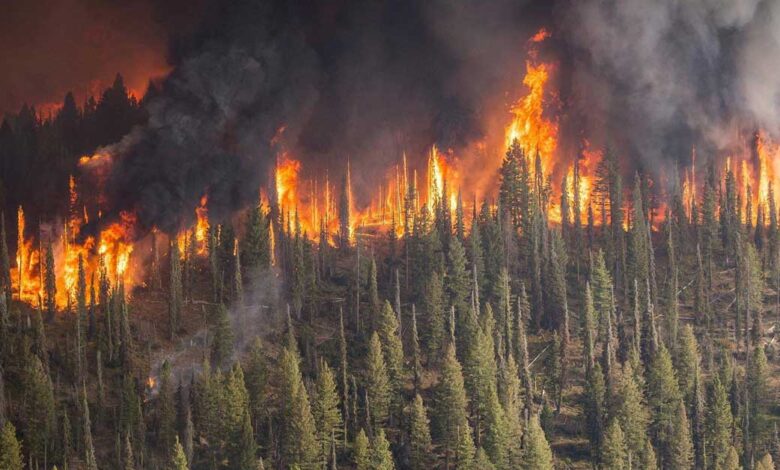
(50, 47)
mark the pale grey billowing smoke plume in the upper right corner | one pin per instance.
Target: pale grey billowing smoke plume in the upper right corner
(656, 78)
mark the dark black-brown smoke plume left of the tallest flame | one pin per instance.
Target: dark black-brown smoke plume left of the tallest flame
(348, 80)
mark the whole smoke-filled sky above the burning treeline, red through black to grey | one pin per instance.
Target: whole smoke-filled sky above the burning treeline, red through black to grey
(365, 80)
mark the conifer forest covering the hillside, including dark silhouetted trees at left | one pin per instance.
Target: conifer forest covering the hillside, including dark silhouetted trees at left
(634, 334)
